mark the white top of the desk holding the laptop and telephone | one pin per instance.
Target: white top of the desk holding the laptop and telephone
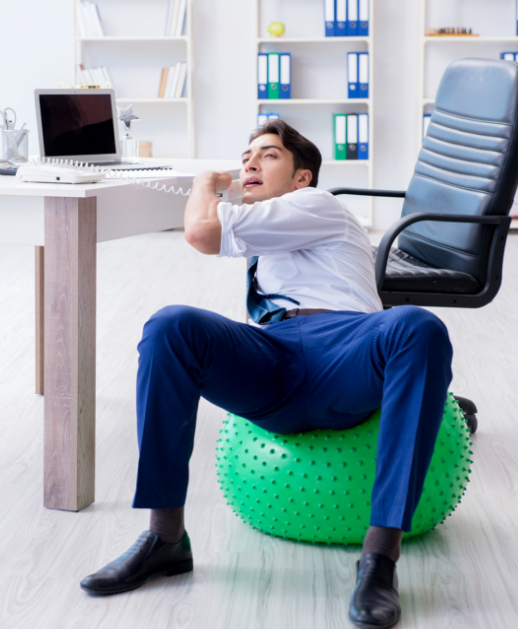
(185, 170)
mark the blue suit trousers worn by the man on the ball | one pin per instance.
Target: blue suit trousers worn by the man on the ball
(329, 370)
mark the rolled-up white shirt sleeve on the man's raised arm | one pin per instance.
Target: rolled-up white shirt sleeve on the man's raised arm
(303, 219)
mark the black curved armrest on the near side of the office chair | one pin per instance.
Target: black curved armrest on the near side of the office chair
(502, 223)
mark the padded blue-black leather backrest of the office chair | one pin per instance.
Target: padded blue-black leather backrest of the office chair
(468, 165)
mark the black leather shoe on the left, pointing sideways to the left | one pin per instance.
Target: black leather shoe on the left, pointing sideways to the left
(149, 555)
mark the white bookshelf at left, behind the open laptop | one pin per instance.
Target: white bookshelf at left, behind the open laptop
(135, 51)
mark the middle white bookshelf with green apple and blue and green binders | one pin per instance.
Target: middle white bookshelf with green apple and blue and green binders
(318, 88)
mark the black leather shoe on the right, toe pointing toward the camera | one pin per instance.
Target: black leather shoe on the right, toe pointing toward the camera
(375, 601)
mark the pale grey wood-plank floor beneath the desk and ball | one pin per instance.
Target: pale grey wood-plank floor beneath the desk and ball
(462, 575)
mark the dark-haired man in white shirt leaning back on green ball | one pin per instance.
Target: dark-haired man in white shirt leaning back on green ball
(327, 363)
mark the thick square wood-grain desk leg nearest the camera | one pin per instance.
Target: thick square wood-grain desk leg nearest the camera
(70, 311)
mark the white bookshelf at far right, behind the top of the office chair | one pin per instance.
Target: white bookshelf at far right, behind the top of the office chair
(496, 29)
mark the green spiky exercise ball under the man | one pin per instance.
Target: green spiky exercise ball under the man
(316, 486)
